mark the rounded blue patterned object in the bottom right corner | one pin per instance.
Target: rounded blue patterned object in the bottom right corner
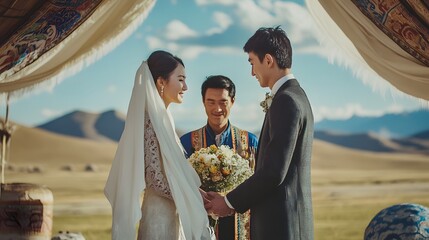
(405, 221)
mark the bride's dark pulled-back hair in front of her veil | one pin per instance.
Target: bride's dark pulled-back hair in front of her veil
(162, 64)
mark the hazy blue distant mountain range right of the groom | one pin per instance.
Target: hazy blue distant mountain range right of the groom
(392, 125)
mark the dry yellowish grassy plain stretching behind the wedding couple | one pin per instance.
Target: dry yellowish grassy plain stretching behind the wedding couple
(349, 187)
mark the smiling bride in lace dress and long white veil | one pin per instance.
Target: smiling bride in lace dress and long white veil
(149, 162)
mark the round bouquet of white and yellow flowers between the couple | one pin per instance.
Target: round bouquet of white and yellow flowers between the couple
(220, 169)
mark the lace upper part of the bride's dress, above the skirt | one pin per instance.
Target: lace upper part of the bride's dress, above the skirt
(154, 170)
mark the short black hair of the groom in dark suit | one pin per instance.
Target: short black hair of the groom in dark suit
(273, 41)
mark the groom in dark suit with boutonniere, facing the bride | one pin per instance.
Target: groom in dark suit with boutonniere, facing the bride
(279, 193)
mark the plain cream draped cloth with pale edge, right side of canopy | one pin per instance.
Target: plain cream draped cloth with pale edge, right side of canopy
(364, 48)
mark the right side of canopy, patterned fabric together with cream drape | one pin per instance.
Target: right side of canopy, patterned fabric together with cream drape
(380, 40)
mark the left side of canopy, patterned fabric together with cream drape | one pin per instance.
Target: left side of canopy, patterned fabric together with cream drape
(49, 40)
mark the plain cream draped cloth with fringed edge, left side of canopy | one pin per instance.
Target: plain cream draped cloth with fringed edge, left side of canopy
(111, 23)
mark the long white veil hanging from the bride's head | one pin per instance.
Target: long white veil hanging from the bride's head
(126, 181)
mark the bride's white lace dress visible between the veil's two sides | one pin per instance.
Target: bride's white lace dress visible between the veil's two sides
(159, 217)
